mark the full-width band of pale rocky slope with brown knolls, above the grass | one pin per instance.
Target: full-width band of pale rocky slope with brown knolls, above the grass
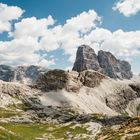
(88, 91)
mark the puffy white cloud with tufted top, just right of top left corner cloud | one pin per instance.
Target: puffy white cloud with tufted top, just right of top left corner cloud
(32, 27)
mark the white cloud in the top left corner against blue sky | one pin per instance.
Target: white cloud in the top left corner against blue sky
(7, 14)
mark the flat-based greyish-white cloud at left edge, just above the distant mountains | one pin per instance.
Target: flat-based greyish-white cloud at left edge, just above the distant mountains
(21, 52)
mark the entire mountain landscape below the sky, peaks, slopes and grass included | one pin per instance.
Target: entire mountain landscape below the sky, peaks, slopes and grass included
(99, 100)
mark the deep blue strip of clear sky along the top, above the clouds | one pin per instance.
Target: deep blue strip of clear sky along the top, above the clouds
(65, 9)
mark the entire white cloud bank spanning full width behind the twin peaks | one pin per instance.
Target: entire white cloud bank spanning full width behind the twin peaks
(31, 35)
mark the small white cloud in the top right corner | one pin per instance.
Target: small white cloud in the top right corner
(127, 7)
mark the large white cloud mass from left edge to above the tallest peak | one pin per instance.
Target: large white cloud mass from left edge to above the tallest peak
(32, 34)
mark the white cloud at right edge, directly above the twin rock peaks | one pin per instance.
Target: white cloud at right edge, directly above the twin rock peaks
(120, 43)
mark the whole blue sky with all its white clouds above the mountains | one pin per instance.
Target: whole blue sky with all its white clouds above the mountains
(48, 32)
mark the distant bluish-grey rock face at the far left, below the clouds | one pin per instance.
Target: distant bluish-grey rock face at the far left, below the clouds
(22, 74)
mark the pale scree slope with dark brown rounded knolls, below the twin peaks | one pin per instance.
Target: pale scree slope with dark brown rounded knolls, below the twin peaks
(89, 91)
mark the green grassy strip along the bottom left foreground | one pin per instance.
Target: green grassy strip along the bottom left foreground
(34, 131)
